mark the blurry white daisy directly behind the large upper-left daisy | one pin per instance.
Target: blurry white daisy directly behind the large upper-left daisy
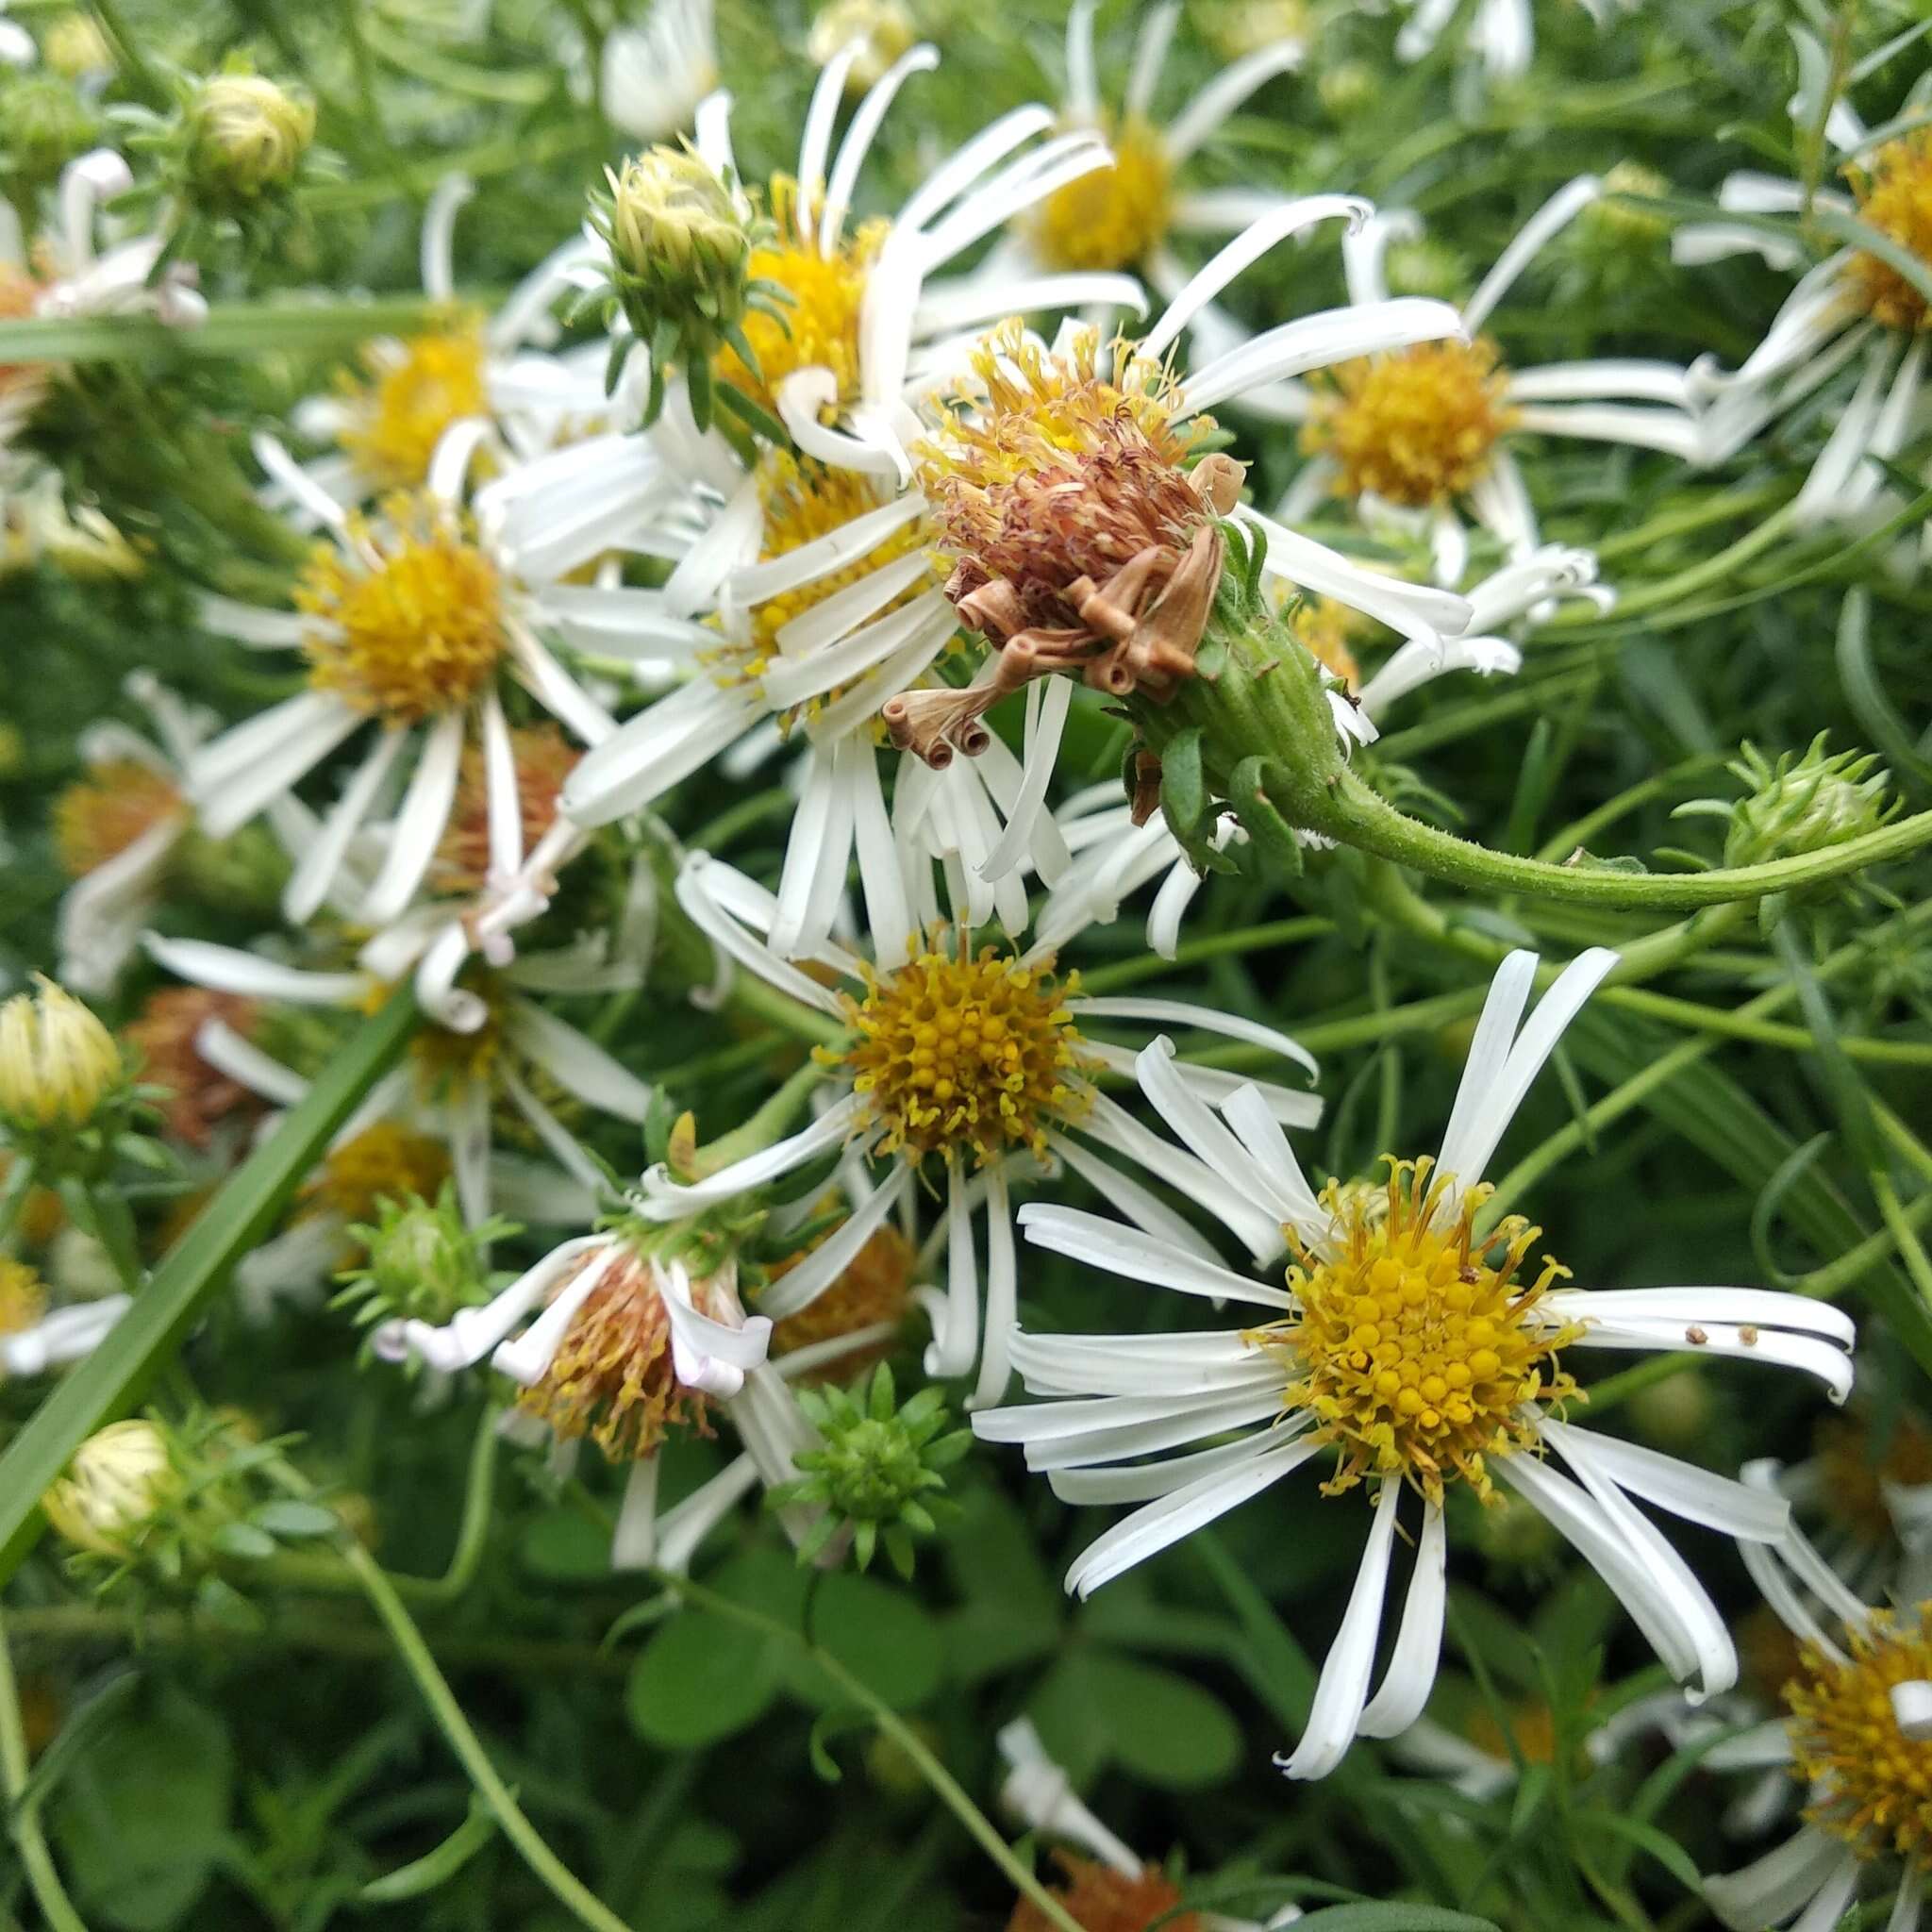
(389, 424)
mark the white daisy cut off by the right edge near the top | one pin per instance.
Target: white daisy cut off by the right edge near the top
(1848, 312)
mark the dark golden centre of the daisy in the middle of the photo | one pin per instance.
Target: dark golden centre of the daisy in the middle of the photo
(963, 1054)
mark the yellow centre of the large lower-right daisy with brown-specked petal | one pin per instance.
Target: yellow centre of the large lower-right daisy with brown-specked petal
(1413, 1350)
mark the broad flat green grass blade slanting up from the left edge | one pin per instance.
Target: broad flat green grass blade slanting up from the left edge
(111, 1380)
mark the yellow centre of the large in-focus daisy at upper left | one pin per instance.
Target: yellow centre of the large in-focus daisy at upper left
(409, 615)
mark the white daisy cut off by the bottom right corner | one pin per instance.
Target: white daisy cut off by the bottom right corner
(1856, 1738)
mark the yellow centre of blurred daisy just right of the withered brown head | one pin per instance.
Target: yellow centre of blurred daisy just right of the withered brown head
(1415, 428)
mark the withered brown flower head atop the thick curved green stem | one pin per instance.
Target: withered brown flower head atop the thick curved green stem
(1075, 532)
